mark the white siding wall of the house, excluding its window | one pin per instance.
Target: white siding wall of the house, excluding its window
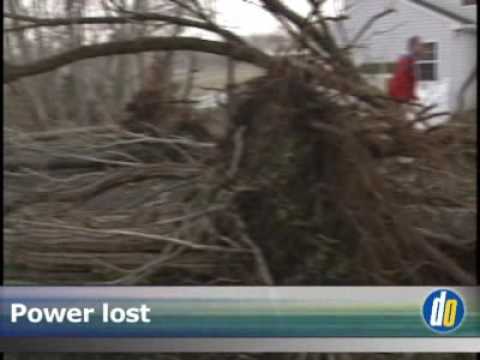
(387, 39)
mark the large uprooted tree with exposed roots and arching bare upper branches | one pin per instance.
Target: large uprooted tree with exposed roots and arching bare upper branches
(307, 187)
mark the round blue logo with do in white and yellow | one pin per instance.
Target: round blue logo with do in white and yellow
(443, 311)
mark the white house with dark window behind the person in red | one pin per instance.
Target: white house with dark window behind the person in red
(448, 28)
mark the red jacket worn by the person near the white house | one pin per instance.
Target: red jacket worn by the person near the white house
(402, 85)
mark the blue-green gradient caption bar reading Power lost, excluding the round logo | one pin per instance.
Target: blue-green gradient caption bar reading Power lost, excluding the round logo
(228, 312)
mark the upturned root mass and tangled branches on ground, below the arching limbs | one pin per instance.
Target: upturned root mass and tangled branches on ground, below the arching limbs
(292, 196)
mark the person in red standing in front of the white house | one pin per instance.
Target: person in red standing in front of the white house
(403, 83)
